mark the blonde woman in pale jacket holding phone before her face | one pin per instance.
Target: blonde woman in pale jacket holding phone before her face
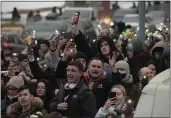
(117, 104)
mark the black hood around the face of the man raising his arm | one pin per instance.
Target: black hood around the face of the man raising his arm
(109, 41)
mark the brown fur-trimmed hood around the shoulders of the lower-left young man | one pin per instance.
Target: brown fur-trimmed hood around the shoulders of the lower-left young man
(16, 107)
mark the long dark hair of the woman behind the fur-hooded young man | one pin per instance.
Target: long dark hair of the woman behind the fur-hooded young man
(49, 88)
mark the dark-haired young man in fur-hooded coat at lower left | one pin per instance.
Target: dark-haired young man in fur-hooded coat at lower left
(27, 105)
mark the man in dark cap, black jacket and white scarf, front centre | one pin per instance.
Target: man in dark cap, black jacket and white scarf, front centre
(75, 99)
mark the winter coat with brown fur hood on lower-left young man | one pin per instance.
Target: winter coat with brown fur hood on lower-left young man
(37, 106)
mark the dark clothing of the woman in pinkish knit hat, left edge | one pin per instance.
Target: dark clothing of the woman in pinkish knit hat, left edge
(6, 102)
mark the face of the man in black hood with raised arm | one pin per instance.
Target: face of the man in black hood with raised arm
(105, 49)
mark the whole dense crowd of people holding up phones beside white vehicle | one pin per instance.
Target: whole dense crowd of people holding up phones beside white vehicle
(71, 78)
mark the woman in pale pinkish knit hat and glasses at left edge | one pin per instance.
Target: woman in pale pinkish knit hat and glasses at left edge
(12, 86)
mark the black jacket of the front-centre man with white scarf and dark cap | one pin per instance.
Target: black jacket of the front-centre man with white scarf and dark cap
(81, 102)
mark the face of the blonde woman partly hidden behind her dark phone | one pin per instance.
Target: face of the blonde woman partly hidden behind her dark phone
(119, 96)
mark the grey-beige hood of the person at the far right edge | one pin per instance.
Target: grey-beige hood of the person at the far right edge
(160, 44)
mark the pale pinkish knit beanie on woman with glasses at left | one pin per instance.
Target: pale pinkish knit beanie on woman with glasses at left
(15, 81)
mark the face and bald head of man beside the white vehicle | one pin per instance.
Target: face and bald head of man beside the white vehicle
(146, 72)
